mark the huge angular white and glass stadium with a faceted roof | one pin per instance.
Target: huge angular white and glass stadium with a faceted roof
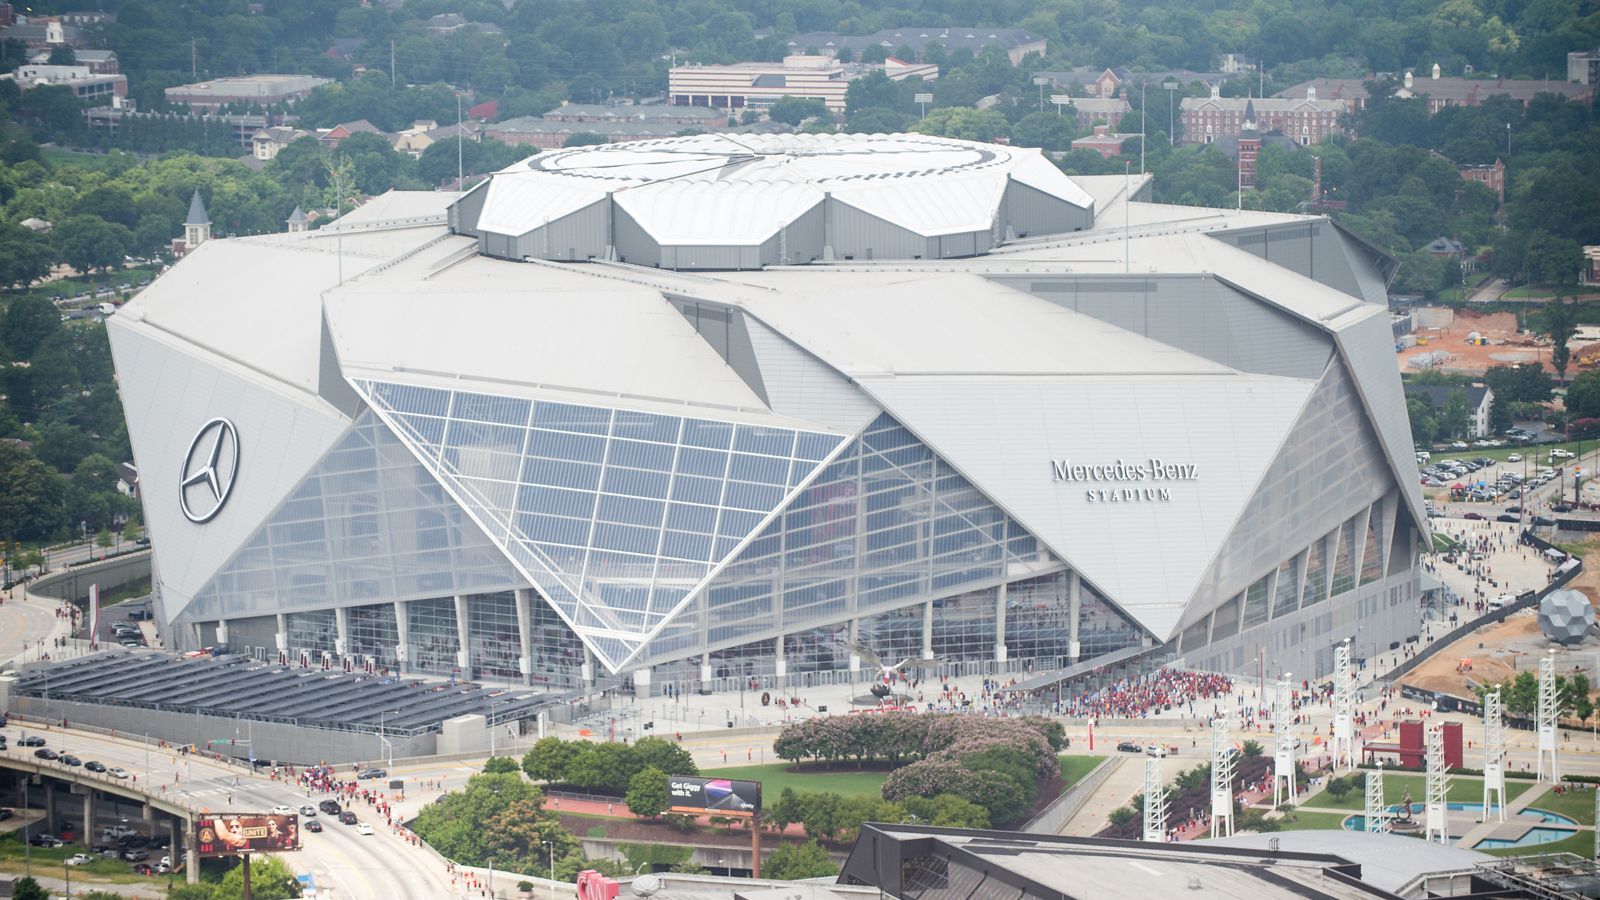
(713, 409)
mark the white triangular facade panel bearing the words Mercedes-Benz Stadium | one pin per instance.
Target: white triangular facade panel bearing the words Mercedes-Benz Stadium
(1134, 481)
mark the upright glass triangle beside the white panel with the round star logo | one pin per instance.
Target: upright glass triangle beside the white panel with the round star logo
(367, 524)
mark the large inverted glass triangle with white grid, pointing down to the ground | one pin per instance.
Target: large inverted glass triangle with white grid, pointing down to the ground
(615, 515)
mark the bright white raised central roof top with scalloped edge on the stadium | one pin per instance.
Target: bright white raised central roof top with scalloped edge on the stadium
(759, 183)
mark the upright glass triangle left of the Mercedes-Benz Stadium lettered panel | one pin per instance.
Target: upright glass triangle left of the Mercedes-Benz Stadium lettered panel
(887, 524)
